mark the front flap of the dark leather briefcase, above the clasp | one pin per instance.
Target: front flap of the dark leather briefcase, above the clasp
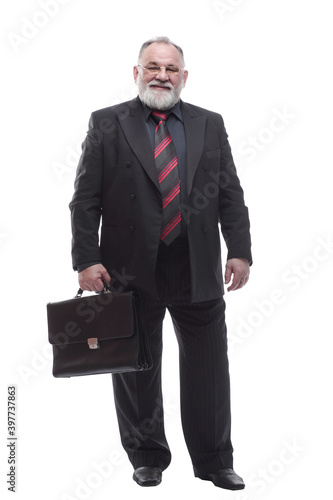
(103, 316)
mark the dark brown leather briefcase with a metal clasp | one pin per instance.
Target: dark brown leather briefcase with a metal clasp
(103, 333)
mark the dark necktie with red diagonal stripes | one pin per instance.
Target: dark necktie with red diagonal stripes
(168, 176)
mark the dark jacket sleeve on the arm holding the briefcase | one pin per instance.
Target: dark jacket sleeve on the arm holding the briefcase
(85, 206)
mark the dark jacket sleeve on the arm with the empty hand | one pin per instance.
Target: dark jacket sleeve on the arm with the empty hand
(233, 213)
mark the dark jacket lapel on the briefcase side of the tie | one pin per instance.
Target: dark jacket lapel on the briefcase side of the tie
(135, 130)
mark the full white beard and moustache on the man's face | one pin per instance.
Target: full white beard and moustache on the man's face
(157, 99)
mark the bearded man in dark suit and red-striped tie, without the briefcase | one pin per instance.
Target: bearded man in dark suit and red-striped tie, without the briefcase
(159, 174)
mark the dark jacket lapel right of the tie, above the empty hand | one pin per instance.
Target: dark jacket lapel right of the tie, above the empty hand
(194, 124)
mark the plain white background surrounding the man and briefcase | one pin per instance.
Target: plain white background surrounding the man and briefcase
(250, 60)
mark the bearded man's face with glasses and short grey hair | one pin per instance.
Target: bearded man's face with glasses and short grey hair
(162, 90)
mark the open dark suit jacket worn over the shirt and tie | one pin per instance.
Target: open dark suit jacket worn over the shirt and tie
(117, 183)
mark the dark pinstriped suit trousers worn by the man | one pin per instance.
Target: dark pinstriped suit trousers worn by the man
(204, 375)
